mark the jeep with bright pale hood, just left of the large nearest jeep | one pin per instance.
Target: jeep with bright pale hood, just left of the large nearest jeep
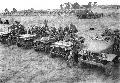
(61, 49)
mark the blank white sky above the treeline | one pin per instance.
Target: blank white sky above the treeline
(46, 4)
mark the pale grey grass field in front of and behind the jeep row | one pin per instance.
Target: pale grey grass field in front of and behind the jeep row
(27, 66)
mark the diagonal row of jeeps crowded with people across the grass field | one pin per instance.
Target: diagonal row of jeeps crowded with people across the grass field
(65, 43)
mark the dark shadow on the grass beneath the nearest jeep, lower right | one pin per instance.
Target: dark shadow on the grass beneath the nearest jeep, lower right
(100, 71)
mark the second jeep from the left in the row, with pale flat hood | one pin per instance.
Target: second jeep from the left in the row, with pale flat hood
(25, 41)
